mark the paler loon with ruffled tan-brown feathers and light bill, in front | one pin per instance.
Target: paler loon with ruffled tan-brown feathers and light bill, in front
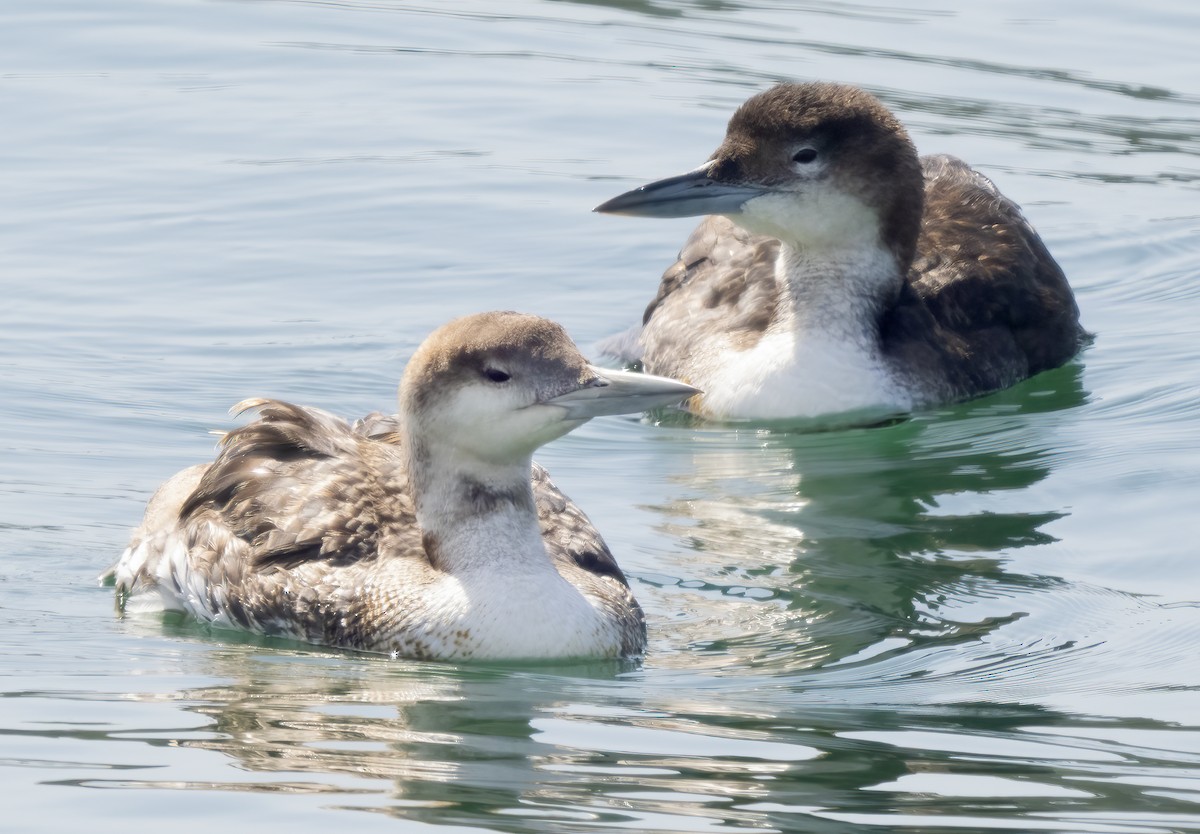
(429, 535)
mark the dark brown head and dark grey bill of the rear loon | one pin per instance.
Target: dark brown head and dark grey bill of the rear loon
(823, 167)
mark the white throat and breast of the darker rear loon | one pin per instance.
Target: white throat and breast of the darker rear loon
(821, 353)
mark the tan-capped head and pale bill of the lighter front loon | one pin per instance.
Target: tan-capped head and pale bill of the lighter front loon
(495, 387)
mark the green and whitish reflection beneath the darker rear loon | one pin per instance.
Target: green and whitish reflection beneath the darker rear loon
(801, 550)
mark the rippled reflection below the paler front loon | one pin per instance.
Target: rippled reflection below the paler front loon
(517, 749)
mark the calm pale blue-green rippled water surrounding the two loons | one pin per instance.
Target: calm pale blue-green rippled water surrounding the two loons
(982, 619)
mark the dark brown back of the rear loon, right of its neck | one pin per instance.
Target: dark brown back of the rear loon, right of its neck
(985, 304)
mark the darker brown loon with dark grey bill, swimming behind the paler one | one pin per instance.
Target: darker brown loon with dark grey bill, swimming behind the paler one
(839, 273)
